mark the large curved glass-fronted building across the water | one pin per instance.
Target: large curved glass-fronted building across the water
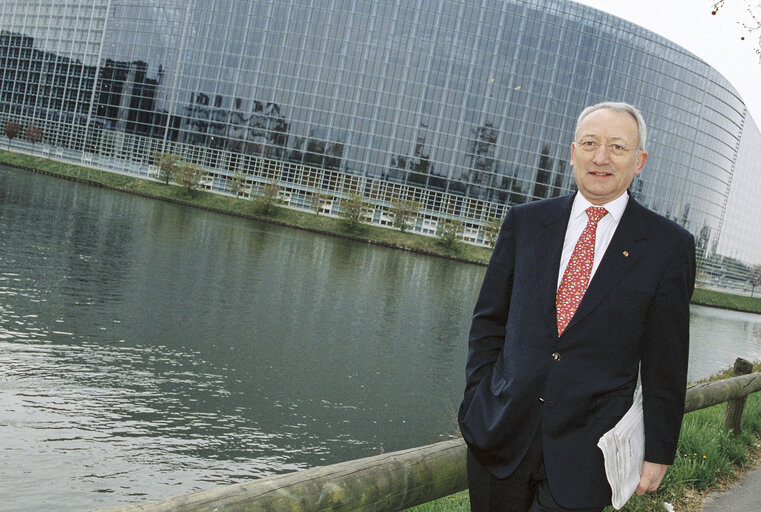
(466, 107)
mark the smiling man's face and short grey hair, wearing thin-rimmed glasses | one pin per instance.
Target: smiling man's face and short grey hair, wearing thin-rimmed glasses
(600, 175)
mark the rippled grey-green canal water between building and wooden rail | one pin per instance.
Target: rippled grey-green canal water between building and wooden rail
(149, 350)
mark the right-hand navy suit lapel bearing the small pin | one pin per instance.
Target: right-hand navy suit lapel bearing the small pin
(623, 252)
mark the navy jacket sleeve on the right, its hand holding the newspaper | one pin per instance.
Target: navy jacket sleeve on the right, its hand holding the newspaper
(665, 355)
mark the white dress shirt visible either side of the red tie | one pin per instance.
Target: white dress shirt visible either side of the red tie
(605, 229)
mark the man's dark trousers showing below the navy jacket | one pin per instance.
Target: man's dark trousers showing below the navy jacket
(526, 490)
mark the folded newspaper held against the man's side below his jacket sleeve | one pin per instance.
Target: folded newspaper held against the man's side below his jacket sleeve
(623, 448)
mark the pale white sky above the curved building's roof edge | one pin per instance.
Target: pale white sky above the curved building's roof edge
(715, 39)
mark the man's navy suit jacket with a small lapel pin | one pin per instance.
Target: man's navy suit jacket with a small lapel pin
(521, 376)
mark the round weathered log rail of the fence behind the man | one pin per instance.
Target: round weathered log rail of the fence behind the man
(388, 482)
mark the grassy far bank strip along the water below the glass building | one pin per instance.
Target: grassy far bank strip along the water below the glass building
(308, 221)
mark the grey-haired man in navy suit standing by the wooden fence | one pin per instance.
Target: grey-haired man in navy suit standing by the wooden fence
(574, 305)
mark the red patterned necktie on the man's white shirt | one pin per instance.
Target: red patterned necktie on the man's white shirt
(576, 275)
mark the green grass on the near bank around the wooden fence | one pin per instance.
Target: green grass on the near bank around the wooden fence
(708, 459)
